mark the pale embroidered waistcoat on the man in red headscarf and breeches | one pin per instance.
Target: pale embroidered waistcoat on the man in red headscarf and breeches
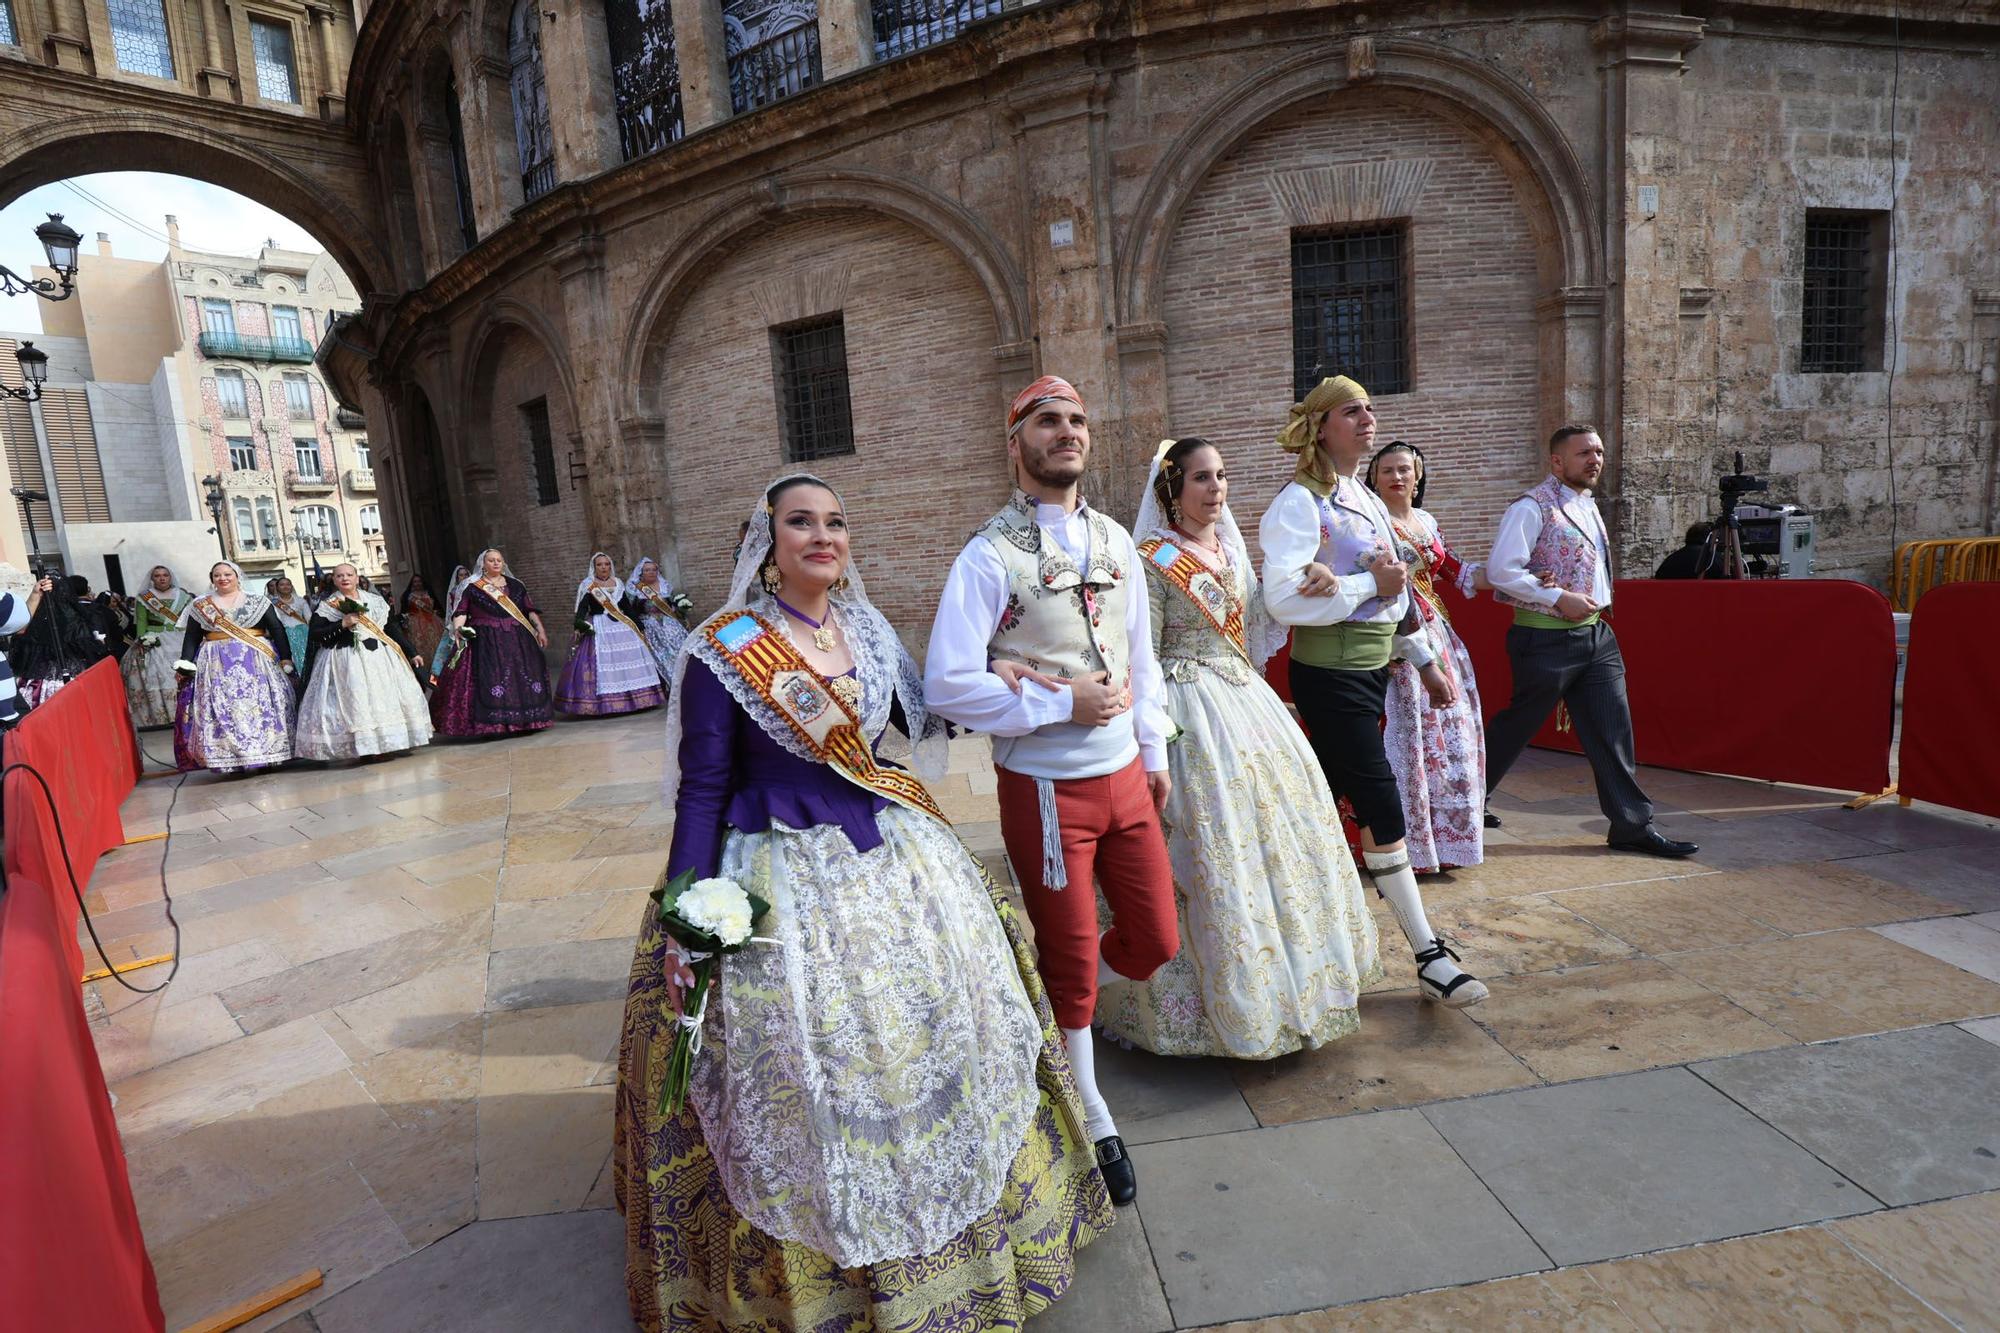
(1059, 619)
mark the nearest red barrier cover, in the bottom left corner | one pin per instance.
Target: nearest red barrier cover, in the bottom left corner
(71, 1252)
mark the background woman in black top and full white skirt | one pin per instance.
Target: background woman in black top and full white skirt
(363, 698)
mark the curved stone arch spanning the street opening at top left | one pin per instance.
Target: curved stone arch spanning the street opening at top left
(147, 143)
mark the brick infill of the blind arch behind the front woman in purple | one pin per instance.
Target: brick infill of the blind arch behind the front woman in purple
(931, 455)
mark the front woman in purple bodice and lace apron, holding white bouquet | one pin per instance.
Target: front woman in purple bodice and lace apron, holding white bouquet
(881, 1128)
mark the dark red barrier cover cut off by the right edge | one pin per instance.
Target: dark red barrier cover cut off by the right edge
(1951, 700)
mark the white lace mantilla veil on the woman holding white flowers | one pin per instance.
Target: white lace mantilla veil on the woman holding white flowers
(883, 665)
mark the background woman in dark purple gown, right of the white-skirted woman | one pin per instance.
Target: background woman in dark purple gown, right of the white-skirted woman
(497, 682)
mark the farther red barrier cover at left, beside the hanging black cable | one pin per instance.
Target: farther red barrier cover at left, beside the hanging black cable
(81, 742)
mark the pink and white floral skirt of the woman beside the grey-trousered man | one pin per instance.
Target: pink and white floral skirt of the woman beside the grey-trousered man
(1439, 758)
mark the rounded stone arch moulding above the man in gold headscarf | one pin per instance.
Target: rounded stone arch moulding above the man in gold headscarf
(1461, 85)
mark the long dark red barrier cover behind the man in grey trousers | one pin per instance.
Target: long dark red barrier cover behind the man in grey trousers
(1791, 682)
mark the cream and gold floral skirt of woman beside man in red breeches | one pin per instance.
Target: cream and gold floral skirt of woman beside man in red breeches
(1277, 940)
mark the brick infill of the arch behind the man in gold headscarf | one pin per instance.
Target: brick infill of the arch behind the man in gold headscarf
(1473, 263)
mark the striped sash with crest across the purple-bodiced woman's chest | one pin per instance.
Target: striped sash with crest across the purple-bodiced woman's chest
(831, 730)
